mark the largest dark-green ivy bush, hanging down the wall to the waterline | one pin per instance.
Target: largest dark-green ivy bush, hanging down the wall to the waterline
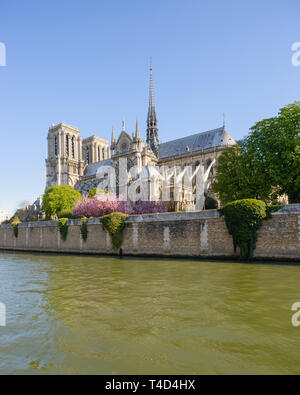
(243, 219)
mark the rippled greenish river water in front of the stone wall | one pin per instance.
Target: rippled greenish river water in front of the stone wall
(103, 315)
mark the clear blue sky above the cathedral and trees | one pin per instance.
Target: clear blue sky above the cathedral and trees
(87, 63)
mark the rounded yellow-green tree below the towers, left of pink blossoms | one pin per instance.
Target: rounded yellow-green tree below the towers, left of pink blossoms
(58, 198)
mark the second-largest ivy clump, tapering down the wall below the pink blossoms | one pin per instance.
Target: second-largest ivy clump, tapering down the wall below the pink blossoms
(115, 224)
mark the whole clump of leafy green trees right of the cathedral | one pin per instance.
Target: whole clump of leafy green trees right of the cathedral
(266, 164)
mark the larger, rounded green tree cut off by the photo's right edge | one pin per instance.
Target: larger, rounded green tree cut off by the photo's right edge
(274, 148)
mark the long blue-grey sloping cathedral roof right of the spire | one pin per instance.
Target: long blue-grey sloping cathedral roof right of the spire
(196, 142)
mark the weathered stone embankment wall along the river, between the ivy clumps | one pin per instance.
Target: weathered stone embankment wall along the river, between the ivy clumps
(195, 234)
